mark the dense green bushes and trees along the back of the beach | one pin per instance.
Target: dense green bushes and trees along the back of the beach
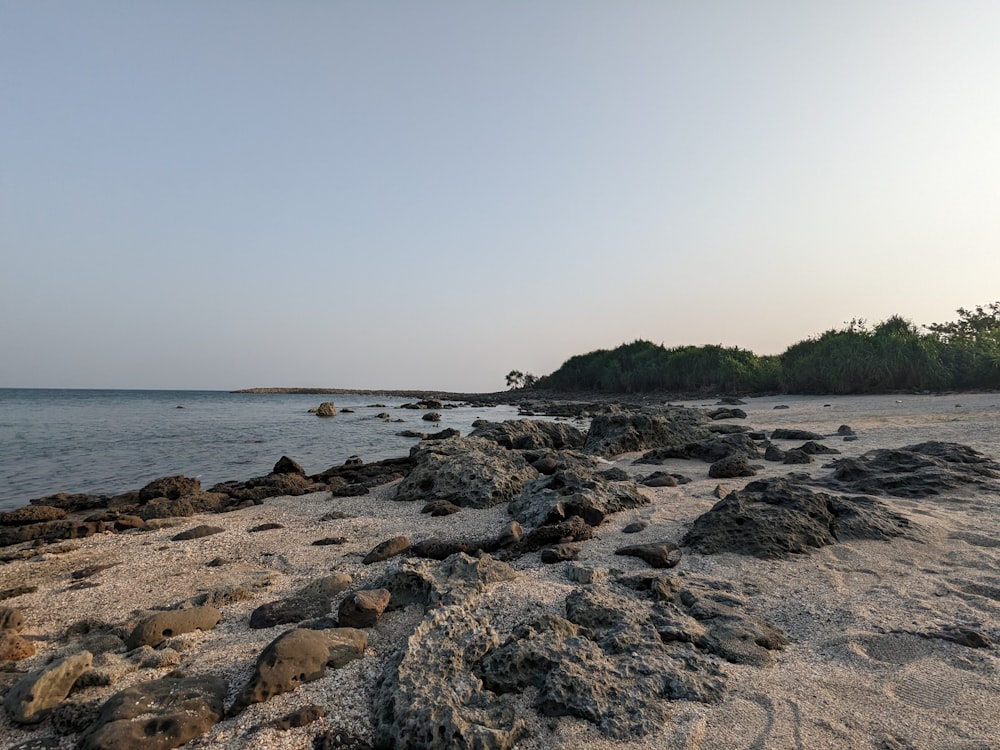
(894, 355)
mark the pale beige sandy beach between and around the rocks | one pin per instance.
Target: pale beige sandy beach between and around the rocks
(865, 665)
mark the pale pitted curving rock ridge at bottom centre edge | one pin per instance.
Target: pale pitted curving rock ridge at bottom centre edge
(428, 697)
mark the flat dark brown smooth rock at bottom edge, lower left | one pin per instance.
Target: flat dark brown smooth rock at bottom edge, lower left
(158, 715)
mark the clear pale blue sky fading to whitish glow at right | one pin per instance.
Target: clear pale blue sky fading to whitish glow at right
(429, 194)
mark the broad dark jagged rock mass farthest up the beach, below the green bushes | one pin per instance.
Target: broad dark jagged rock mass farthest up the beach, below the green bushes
(623, 432)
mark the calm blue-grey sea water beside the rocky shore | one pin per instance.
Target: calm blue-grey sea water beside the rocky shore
(105, 441)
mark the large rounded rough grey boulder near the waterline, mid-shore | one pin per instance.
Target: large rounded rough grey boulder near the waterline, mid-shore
(469, 472)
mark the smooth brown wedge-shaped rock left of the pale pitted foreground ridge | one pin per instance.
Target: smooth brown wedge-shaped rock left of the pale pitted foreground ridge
(296, 657)
